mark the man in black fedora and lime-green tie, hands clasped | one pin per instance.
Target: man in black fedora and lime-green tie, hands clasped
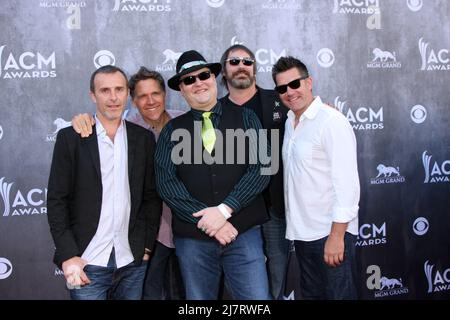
(217, 207)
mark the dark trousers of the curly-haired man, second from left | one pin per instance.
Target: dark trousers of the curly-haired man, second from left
(163, 277)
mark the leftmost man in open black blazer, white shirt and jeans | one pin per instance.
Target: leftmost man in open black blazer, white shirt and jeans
(103, 209)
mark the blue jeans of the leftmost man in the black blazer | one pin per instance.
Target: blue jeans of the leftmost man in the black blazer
(111, 283)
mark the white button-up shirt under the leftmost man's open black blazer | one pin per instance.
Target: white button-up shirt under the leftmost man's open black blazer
(112, 230)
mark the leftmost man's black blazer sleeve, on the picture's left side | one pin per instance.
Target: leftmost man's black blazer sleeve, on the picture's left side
(59, 195)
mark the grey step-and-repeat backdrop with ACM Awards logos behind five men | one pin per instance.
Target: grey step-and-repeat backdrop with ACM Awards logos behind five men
(384, 63)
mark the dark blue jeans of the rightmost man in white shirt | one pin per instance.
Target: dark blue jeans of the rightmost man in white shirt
(320, 281)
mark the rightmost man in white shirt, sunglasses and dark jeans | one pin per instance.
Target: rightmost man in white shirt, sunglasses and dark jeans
(321, 186)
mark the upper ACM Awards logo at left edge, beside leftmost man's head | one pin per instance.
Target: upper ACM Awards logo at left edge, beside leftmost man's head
(27, 64)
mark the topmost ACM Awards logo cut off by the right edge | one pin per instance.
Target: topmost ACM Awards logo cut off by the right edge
(433, 59)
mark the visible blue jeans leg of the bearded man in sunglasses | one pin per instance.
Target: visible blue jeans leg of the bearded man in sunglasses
(276, 248)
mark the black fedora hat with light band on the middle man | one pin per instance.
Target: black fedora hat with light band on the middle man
(188, 62)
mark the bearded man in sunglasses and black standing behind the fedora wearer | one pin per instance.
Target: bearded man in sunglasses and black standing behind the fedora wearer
(239, 77)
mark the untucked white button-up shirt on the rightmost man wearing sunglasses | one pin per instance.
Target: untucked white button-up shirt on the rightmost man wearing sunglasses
(321, 183)
